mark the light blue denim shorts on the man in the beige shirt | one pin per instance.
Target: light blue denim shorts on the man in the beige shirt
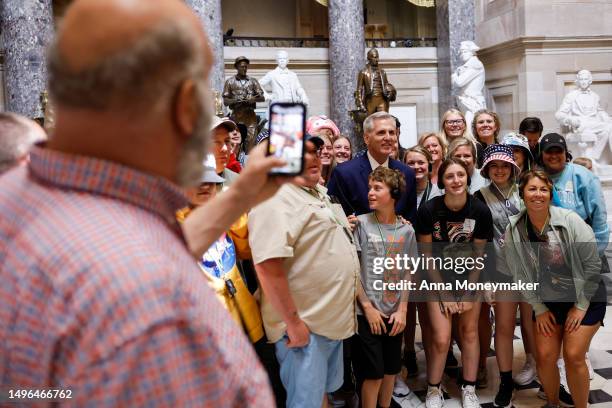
(311, 371)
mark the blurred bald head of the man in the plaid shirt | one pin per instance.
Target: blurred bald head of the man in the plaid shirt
(133, 72)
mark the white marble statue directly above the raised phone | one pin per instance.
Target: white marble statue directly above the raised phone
(283, 83)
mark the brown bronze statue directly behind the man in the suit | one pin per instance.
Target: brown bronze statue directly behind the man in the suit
(374, 92)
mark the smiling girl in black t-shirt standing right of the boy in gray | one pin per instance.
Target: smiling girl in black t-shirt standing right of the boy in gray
(456, 217)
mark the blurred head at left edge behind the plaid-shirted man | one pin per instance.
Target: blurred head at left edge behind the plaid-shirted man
(17, 135)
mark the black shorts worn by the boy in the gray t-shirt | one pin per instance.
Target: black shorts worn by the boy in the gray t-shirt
(375, 356)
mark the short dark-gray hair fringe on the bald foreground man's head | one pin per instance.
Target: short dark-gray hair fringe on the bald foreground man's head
(136, 78)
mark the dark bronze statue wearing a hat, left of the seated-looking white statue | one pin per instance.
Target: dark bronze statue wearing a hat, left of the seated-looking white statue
(240, 94)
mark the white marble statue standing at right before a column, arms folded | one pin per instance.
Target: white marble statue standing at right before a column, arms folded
(468, 82)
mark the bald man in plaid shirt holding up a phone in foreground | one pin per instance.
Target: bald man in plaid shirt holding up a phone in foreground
(100, 296)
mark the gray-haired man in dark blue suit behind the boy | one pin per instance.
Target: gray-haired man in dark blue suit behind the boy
(349, 180)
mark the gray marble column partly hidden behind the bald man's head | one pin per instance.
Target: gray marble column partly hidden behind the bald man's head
(210, 14)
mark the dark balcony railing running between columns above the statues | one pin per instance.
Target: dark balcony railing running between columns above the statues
(320, 42)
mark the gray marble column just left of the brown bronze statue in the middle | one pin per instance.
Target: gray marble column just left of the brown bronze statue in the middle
(346, 58)
